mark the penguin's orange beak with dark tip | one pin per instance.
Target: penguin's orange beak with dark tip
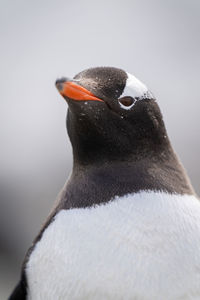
(70, 89)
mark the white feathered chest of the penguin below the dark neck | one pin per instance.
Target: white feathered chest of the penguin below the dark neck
(144, 246)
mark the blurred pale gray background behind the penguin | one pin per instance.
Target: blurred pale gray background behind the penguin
(158, 41)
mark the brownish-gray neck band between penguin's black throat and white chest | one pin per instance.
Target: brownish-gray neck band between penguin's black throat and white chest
(96, 184)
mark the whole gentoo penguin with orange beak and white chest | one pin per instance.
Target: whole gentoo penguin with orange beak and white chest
(127, 223)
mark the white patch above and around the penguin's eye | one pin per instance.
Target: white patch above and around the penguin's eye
(136, 89)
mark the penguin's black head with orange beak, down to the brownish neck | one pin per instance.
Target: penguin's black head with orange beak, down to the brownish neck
(111, 116)
